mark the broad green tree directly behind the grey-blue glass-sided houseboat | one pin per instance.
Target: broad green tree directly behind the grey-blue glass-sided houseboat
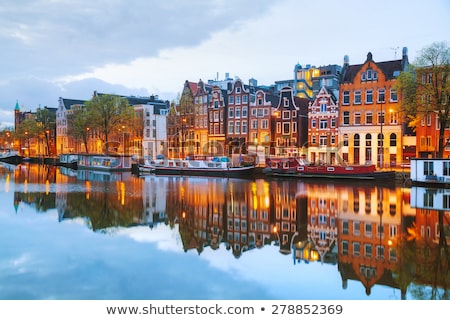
(109, 114)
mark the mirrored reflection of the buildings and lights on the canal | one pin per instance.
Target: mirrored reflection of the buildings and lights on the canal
(377, 236)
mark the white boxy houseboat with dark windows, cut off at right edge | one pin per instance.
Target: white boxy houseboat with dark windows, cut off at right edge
(430, 172)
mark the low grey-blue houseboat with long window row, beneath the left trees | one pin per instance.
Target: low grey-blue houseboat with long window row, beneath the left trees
(104, 162)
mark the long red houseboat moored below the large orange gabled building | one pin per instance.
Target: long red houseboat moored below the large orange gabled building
(300, 168)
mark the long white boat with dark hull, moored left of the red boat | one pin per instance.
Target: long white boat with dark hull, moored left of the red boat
(198, 166)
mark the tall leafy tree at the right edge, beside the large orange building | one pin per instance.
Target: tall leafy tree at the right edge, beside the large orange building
(425, 88)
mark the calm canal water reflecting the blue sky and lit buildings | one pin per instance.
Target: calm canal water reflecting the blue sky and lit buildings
(73, 235)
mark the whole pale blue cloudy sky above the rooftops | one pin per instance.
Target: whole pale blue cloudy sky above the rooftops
(69, 48)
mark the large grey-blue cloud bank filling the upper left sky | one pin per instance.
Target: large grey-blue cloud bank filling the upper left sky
(64, 37)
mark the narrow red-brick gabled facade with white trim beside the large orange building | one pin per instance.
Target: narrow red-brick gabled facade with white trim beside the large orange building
(323, 134)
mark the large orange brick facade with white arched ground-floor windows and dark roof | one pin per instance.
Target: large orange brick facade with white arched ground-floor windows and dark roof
(370, 125)
